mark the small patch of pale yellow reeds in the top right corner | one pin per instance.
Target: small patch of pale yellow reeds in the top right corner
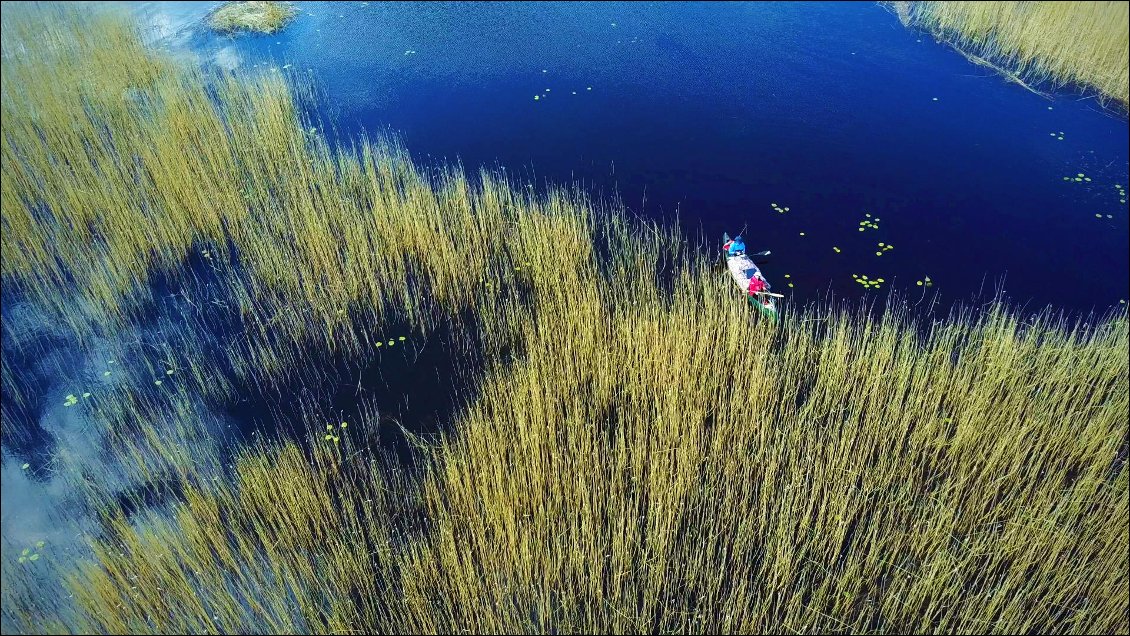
(1085, 43)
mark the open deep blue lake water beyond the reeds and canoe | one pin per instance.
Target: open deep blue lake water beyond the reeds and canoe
(717, 112)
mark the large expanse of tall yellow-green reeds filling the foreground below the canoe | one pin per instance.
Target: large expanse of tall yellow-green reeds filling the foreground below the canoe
(637, 458)
